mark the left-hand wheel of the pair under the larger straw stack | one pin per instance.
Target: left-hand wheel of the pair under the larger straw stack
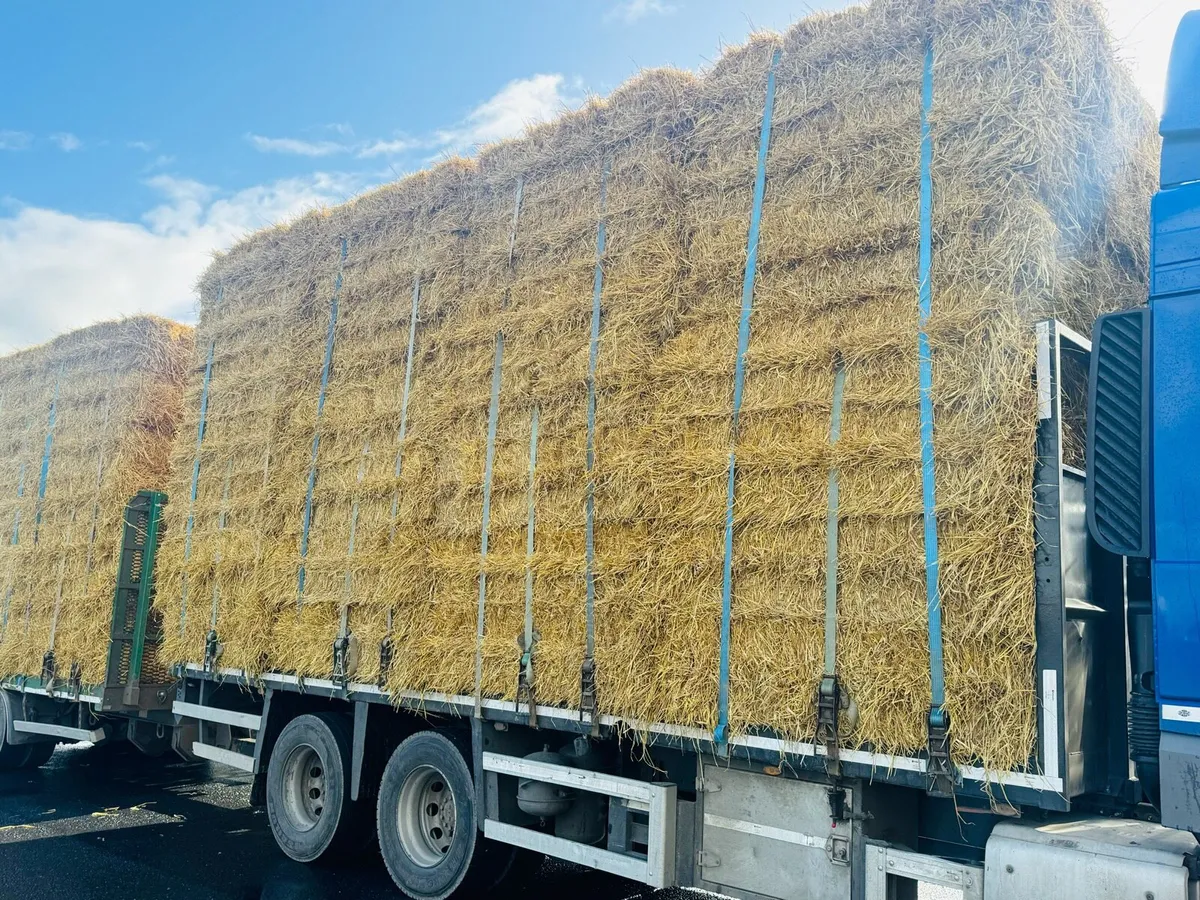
(308, 789)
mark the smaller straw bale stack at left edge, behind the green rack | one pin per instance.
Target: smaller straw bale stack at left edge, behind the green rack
(92, 416)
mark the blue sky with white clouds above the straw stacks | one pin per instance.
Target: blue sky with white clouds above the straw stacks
(136, 140)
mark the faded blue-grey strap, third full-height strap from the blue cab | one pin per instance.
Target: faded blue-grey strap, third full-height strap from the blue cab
(587, 705)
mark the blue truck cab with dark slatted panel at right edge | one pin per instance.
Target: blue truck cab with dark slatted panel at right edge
(1144, 446)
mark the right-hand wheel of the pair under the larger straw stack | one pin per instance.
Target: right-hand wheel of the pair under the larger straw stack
(427, 824)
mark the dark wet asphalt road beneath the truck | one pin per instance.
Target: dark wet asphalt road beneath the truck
(106, 824)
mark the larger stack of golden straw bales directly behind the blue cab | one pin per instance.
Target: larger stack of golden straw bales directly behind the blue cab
(1043, 164)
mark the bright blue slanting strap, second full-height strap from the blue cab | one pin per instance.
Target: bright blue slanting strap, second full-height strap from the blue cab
(760, 187)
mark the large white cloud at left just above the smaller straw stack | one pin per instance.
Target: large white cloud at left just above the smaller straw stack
(64, 272)
